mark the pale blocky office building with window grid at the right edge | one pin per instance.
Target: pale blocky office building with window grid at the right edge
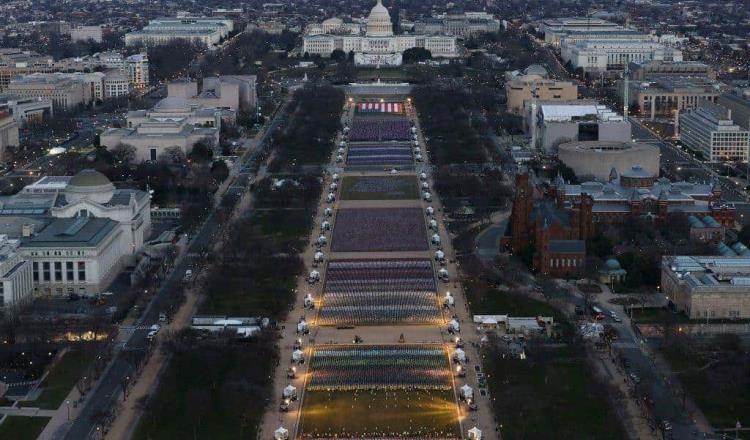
(710, 131)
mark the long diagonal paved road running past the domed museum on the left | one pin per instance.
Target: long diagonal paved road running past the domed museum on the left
(108, 391)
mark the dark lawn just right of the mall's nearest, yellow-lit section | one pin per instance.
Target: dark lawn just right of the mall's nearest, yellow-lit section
(549, 395)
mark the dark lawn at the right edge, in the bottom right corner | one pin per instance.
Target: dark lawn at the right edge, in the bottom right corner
(718, 389)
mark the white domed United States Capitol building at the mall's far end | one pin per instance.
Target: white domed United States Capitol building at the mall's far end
(375, 45)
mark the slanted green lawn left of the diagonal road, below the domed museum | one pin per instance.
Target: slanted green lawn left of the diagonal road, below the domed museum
(61, 379)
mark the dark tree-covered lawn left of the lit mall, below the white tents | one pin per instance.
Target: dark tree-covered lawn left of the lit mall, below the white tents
(211, 391)
